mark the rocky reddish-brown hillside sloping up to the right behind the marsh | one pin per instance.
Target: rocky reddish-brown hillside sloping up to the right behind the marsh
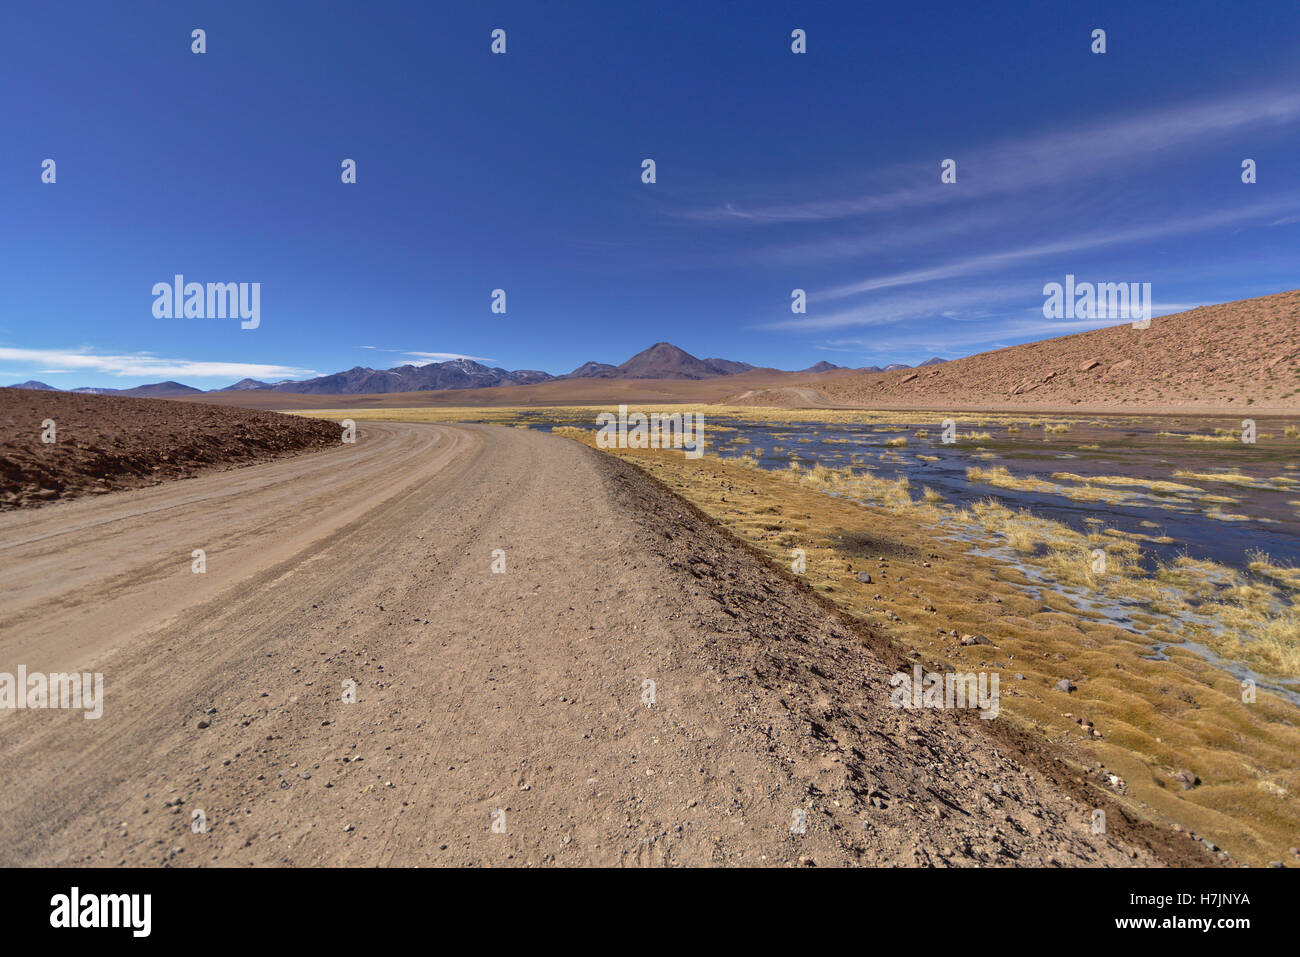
(1215, 358)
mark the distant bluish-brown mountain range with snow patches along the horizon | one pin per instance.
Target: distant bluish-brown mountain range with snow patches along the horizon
(662, 361)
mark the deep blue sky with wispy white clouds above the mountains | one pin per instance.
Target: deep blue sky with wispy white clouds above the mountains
(523, 172)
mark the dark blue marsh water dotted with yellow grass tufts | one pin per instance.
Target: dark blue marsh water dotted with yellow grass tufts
(1263, 516)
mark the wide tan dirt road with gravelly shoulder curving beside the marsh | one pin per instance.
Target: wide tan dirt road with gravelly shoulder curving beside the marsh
(500, 717)
